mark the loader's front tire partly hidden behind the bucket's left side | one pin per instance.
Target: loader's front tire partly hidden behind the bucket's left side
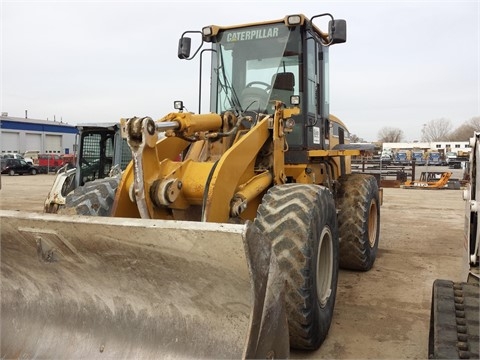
(95, 198)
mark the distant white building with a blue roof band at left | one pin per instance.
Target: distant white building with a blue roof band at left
(18, 135)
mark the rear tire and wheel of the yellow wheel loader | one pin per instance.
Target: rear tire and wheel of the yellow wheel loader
(358, 221)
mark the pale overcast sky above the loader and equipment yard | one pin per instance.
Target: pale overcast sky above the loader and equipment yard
(404, 64)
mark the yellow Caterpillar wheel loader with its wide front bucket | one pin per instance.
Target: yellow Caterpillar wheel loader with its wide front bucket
(231, 251)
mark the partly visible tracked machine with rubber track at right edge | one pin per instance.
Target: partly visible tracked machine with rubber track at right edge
(455, 306)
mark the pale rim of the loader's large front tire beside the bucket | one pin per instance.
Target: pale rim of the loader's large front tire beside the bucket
(324, 267)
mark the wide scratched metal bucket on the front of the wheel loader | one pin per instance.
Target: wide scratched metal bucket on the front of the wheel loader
(91, 287)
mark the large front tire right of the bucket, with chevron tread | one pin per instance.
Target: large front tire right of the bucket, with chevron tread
(301, 222)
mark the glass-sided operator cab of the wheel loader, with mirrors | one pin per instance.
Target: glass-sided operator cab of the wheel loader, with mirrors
(285, 60)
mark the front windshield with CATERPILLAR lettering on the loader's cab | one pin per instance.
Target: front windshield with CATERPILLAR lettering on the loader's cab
(253, 66)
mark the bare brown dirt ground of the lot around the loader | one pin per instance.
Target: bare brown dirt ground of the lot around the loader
(380, 314)
